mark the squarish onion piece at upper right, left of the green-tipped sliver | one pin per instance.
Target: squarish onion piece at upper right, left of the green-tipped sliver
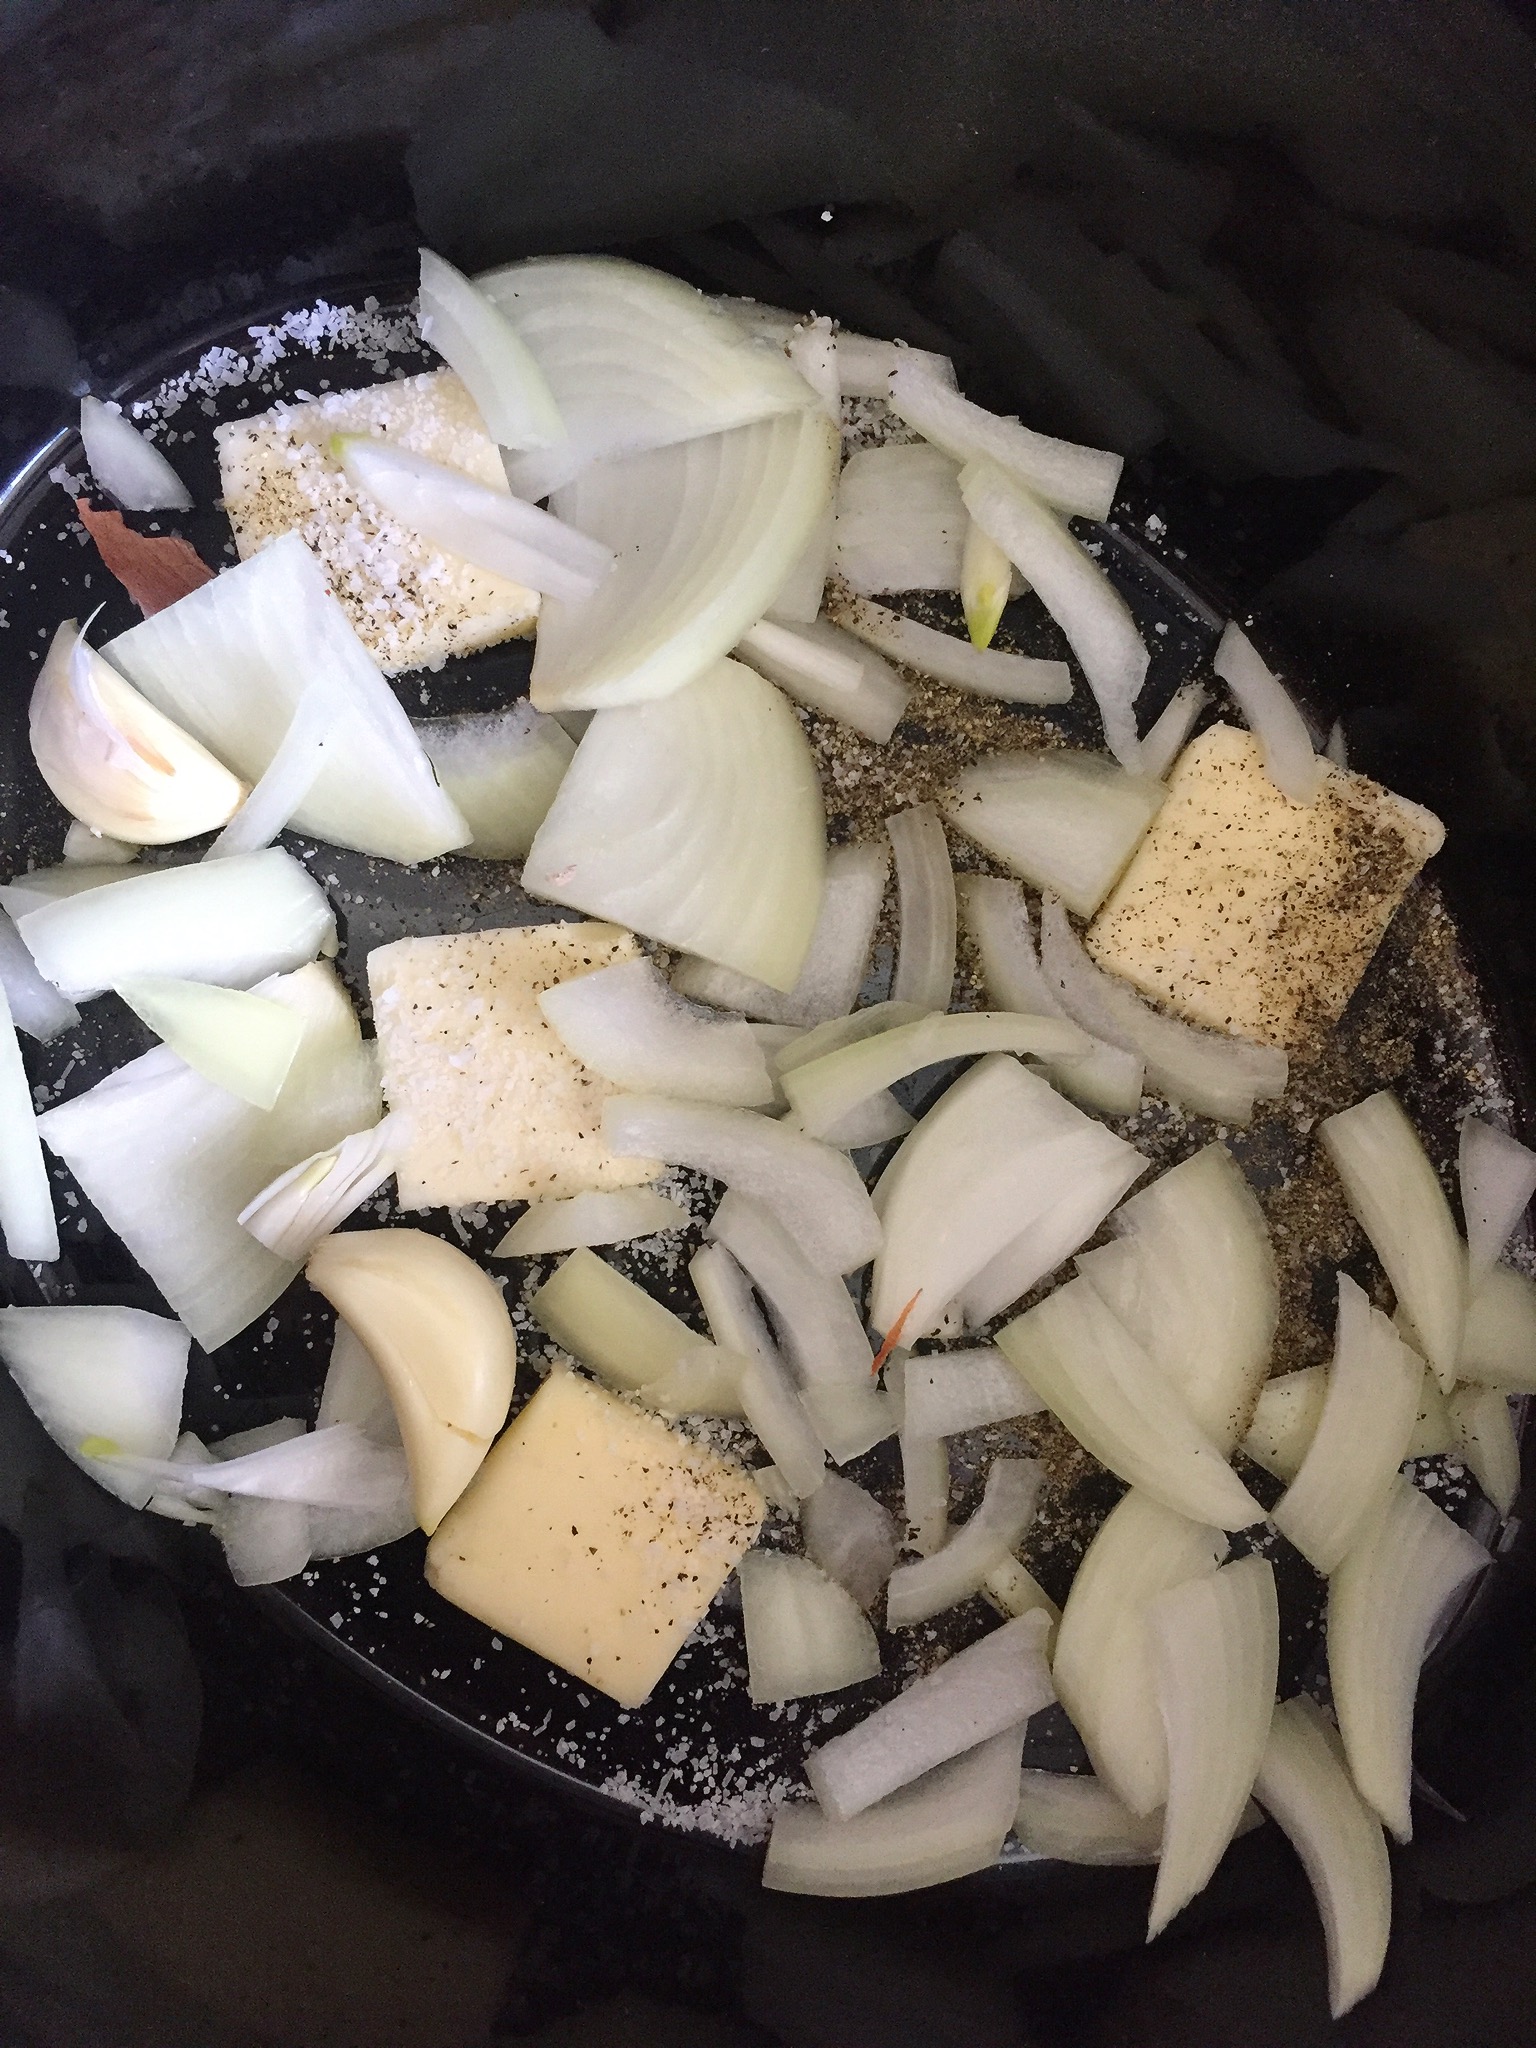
(900, 521)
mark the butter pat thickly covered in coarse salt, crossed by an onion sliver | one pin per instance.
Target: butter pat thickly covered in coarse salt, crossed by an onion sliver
(411, 603)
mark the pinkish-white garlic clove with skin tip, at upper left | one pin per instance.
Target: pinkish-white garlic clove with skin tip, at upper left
(114, 761)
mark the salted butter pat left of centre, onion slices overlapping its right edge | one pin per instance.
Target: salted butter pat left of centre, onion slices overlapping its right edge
(499, 1111)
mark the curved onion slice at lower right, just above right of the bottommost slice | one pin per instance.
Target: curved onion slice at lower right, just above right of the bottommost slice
(1383, 1601)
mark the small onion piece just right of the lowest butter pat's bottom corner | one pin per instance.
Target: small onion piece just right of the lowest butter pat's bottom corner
(804, 1631)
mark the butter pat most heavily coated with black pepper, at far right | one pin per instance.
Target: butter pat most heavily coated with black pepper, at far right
(1254, 914)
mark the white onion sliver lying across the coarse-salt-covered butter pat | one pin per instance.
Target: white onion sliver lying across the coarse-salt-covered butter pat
(476, 523)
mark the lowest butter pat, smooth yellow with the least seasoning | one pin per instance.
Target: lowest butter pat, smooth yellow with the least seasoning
(597, 1535)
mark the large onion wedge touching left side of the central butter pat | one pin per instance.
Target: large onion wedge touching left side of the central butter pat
(171, 1160)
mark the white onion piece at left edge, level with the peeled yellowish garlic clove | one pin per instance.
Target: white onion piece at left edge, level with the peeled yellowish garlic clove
(103, 1373)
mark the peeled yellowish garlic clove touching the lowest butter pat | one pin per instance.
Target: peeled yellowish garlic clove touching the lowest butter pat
(441, 1336)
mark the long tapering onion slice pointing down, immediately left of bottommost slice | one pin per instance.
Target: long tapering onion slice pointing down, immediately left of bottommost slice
(1218, 1658)
